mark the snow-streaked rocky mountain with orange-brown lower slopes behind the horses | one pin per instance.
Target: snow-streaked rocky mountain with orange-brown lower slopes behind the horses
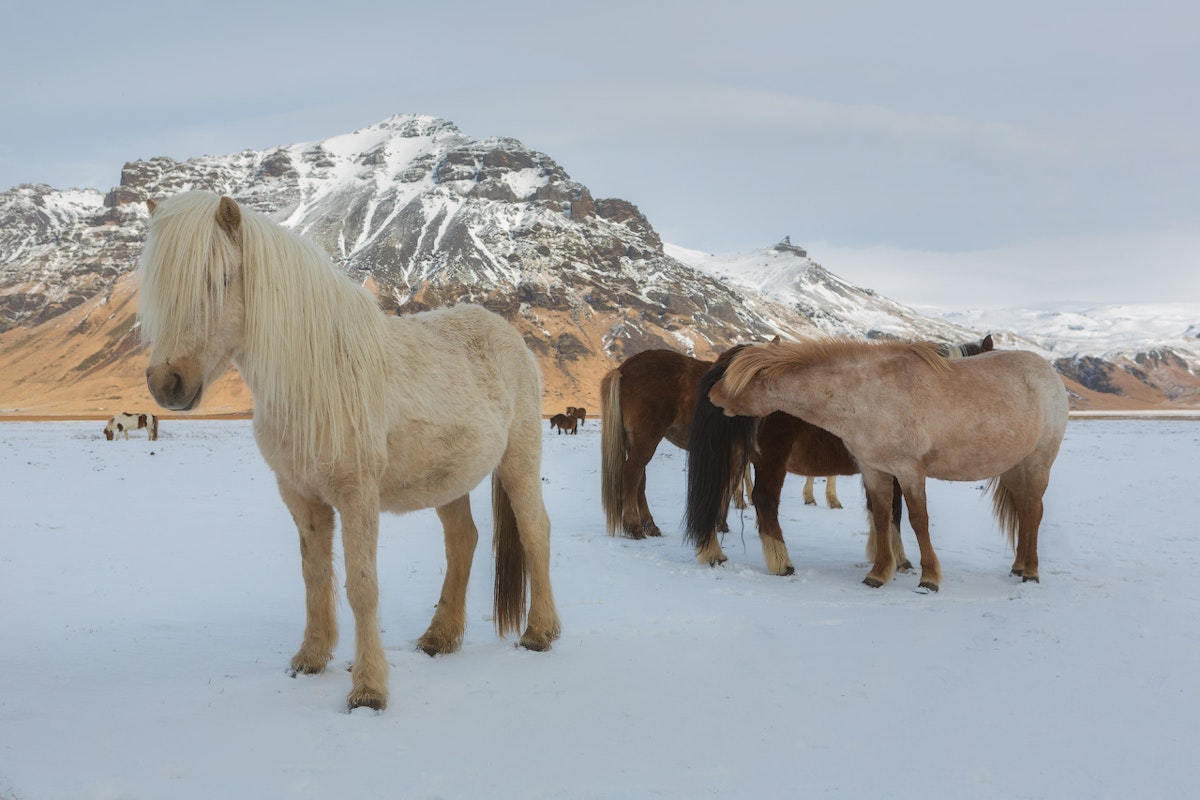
(427, 216)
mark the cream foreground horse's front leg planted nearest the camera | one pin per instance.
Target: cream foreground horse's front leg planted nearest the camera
(361, 538)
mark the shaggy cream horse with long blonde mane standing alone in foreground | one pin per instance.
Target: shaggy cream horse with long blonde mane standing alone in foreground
(356, 412)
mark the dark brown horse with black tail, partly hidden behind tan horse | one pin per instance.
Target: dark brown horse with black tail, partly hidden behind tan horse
(782, 444)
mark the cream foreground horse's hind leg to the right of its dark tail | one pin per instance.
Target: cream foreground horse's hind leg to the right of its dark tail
(520, 474)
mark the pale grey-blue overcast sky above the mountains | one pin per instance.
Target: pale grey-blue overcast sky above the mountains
(945, 154)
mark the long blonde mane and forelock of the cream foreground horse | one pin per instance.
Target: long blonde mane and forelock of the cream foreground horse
(315, 353)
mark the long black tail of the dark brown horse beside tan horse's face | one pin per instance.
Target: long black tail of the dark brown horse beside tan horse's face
(718, 455)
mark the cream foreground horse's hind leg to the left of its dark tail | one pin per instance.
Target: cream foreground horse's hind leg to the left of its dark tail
(446, 631)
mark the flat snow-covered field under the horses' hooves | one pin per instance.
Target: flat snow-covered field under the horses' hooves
(151, 599)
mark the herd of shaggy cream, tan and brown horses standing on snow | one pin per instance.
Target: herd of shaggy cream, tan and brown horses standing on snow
(359, 412)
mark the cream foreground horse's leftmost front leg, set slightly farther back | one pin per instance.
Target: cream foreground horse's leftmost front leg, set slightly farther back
(315, 524)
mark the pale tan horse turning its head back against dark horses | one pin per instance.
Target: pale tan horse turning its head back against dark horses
(908, 413)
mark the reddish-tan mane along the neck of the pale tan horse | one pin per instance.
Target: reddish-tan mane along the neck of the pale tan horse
(773, 360)
